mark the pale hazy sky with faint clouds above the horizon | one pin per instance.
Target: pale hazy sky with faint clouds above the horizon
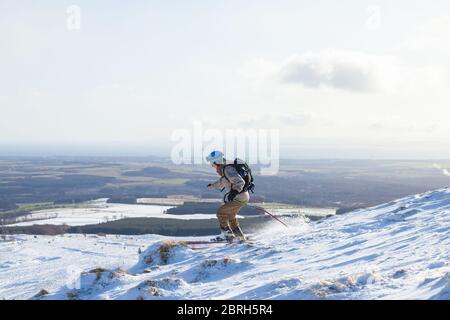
(354, 79)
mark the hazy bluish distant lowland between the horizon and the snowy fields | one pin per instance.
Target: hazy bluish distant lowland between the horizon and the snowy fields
(342, 184)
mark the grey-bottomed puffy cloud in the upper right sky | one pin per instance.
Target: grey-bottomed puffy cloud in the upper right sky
(345, 70)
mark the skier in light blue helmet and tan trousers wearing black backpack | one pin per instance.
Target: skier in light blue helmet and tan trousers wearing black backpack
(236, 178)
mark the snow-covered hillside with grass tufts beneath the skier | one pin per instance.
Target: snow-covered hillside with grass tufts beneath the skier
(399, 250)
